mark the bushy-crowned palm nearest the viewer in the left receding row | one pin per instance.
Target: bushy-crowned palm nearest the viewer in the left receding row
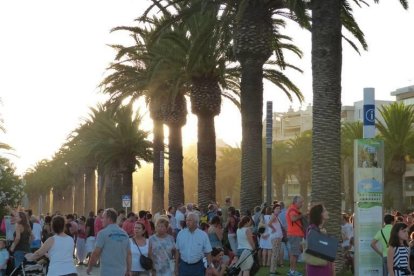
(114, 138)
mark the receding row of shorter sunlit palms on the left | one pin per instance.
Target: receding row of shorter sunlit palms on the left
(109, 141)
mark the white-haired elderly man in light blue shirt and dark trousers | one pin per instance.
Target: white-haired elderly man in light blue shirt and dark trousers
(192, 246)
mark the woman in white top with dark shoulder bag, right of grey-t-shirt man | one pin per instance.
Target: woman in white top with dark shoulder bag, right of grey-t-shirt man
(138, 240)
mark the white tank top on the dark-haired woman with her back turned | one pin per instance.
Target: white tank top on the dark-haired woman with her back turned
(61, 256)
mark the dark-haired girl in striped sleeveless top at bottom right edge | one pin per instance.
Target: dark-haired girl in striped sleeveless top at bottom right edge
(398, 251)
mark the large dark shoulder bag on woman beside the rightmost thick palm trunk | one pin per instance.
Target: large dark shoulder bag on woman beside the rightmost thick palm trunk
(321, 245)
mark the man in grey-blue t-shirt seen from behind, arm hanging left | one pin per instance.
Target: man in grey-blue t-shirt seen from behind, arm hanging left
(113, 247)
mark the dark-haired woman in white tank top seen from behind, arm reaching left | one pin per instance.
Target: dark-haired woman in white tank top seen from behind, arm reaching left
(60, 250)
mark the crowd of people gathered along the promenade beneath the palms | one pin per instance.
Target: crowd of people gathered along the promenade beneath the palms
(185, 240)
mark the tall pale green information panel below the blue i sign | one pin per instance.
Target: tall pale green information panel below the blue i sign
(368, 197)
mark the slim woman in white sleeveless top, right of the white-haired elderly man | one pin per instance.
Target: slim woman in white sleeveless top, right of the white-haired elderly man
(245, 245)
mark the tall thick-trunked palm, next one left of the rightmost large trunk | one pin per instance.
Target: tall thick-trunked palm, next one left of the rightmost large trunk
(255, 35)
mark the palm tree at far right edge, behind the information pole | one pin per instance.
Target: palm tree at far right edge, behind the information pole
(398, 134)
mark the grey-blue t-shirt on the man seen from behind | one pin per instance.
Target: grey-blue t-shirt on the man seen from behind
(114, 243)
